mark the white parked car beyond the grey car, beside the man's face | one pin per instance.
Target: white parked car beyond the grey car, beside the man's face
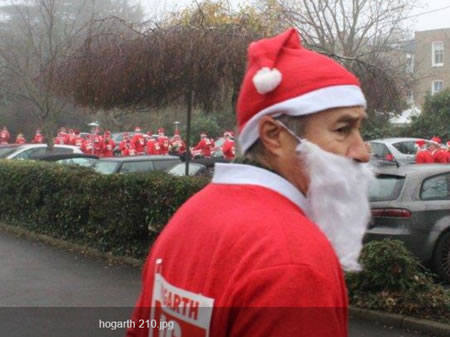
(400, 150)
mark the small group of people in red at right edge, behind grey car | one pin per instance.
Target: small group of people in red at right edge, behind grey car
(434, 152)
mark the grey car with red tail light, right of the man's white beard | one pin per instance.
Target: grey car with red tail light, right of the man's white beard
(412, 204)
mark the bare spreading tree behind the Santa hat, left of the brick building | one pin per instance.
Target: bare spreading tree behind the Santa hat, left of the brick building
(365, 35)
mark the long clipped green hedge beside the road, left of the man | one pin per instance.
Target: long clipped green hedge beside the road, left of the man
(117, 213)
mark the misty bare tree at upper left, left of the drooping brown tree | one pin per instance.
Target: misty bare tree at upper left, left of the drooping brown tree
(37, 33)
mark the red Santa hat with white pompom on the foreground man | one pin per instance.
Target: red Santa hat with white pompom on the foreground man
(284, 78)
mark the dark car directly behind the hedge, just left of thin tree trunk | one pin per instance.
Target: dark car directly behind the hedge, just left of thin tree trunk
(135, 164)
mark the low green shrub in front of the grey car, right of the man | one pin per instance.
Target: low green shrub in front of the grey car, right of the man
(393, 280)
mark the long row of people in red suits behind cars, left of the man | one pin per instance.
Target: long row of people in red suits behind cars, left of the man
(137, 144)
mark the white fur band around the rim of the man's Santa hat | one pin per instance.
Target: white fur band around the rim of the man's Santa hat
(314, 101)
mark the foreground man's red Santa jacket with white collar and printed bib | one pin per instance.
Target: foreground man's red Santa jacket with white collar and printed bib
(258, 267)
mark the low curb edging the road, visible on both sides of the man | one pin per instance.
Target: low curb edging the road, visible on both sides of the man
(394, 320)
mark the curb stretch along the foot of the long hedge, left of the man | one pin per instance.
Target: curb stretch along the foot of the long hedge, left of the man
(93, 252)
